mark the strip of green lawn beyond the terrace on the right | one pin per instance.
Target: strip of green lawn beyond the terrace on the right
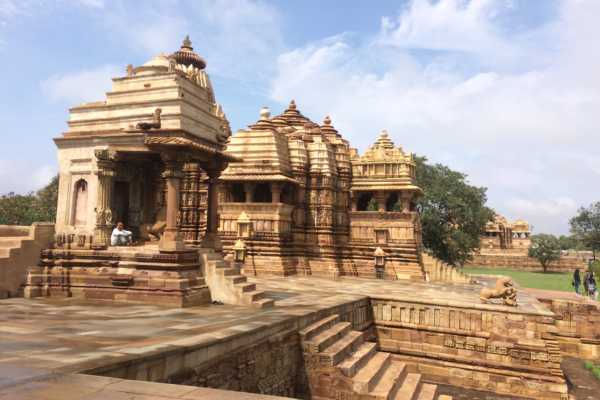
(537, 280)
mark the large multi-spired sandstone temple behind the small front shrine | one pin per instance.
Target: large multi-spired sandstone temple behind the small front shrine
(315, 205)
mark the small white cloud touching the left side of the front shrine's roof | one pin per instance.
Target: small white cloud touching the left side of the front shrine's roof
(80, 86)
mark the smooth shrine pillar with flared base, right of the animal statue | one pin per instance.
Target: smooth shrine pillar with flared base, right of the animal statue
(171, 239)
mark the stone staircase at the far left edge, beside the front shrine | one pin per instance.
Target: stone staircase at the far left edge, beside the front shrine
(20, 248)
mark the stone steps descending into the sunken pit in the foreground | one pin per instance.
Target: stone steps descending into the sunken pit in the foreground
(341, 365)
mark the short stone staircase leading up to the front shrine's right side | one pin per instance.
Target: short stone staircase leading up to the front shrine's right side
(227, 284)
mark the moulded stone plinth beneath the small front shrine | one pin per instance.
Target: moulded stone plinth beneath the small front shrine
(140, 274)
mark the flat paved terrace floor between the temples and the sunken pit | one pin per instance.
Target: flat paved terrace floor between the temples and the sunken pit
(45, 336)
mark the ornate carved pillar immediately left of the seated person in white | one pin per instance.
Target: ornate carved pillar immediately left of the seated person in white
(104, 216)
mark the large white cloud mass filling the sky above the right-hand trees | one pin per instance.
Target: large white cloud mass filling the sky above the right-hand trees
(508, 111)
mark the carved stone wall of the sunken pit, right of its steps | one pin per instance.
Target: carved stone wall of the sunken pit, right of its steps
(494, 350)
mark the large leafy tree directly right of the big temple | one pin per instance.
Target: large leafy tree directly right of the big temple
(453, 212)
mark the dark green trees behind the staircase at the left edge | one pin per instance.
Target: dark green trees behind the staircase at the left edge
(16, 209)
